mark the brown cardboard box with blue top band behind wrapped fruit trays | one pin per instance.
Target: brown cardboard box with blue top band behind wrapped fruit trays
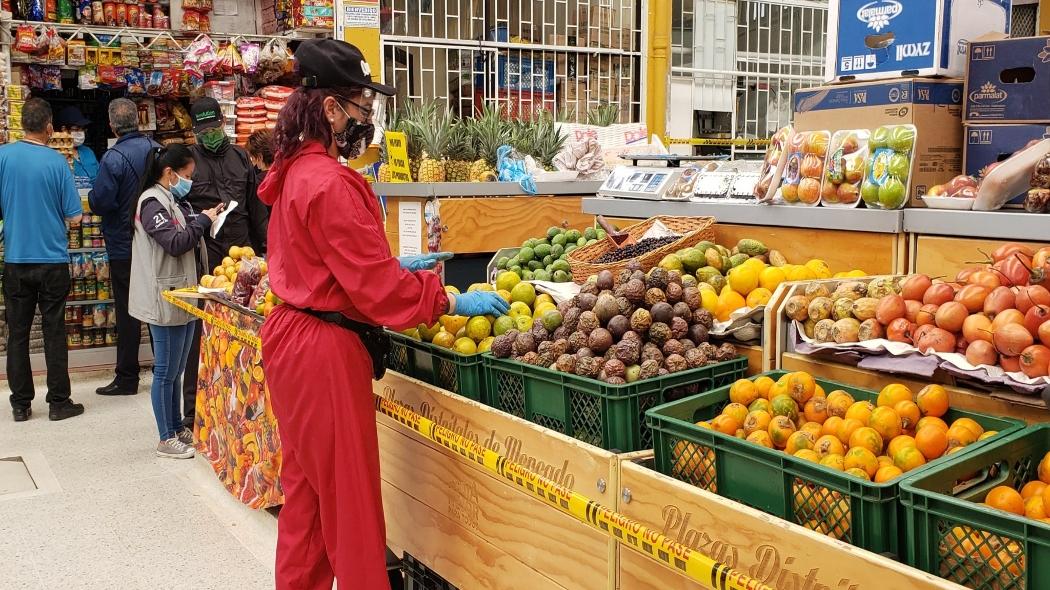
(934, 107)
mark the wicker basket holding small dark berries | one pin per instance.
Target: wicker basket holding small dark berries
(694, 230)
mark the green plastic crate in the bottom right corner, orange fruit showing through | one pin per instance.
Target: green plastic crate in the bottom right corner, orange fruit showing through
(995, 551)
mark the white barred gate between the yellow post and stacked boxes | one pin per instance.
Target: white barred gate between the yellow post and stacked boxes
(737, 65)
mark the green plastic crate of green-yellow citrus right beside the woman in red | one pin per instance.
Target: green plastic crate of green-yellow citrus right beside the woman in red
(460, 374)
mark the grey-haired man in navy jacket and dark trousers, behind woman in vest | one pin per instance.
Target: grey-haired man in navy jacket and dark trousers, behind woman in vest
(116, 188)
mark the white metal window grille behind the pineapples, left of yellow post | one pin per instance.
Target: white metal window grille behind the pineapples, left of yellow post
(565, 57)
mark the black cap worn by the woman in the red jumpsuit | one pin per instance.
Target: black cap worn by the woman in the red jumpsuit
(328, 64)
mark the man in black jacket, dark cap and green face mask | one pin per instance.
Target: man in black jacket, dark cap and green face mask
(224, 174)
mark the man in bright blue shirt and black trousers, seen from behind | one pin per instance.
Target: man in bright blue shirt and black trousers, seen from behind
(37, 200)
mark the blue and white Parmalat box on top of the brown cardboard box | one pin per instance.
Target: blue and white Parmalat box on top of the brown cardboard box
(883, 39)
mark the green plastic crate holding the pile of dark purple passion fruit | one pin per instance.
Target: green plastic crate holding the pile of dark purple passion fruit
(612, 417)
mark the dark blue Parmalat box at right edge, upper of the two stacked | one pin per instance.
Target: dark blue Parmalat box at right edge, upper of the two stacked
(1009, 81)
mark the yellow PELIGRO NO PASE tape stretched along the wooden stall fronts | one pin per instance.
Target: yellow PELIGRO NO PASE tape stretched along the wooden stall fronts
(628, 532)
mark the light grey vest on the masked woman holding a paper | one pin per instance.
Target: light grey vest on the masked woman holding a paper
(154, 271)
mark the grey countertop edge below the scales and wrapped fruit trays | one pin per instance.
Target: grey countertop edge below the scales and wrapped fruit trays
(815, 218)
